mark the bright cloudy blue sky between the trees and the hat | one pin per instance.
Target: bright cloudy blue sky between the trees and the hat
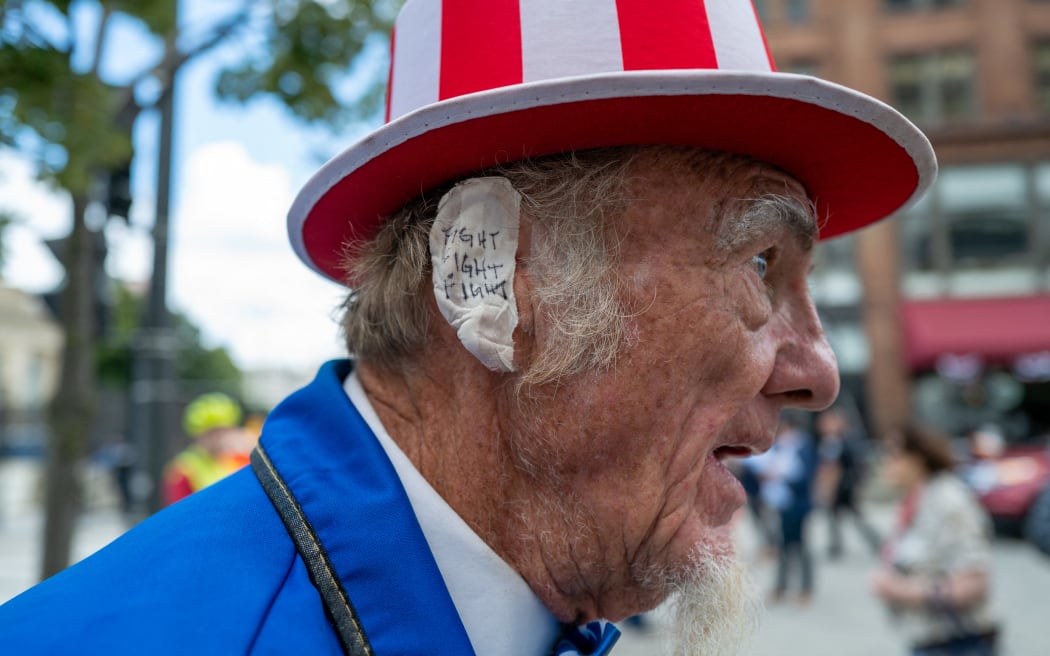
(232, 268)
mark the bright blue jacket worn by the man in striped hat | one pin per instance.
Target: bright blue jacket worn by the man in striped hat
(219, 573)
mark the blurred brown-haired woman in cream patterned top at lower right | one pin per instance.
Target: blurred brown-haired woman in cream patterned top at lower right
(936, 572)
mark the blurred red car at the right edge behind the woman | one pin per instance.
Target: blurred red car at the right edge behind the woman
(1010, 484)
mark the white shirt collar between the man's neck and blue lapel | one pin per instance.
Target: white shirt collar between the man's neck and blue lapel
(500, 612)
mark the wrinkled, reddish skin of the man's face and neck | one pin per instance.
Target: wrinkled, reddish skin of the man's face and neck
(601, 488)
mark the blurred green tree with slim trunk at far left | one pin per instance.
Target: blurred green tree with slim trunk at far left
(61, 108)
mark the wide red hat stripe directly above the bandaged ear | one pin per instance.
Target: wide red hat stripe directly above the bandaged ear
(481, 47)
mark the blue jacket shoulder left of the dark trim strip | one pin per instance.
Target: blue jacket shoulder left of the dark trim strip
(212, 575)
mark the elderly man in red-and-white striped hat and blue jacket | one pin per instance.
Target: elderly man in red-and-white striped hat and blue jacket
(578, 257)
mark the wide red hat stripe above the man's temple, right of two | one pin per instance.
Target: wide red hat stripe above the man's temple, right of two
(665, 34)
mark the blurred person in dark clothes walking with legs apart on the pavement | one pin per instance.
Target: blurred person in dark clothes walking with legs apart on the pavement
(839, 479)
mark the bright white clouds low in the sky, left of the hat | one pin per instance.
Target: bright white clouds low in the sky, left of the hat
(232, 269)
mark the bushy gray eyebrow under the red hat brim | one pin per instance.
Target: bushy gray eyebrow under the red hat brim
(770, 215)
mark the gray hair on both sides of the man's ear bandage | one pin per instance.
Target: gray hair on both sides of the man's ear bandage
(575, 199)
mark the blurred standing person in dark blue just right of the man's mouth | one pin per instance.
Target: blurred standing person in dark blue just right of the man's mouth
(788, 473)
